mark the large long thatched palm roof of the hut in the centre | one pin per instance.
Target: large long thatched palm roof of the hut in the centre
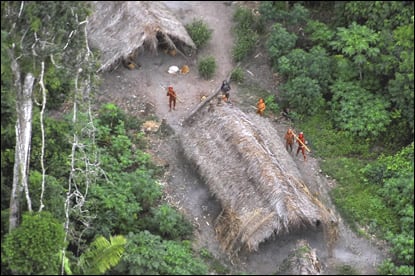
(246, 166)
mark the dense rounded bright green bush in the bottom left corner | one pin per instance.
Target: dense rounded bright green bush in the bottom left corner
(33, 248)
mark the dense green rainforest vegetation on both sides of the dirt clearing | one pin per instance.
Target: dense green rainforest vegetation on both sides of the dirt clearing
(81, 191)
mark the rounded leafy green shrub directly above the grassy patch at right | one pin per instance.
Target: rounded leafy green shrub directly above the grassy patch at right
(355, 110)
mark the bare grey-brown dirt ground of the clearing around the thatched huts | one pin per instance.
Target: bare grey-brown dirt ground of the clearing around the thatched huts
(142, 92)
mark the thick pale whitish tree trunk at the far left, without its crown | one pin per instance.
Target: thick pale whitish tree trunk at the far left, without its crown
(22, 151)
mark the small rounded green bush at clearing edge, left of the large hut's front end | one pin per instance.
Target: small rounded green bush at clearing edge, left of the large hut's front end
(169, 223)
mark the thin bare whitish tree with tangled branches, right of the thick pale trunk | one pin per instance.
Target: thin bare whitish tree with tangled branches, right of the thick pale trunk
(83, 152)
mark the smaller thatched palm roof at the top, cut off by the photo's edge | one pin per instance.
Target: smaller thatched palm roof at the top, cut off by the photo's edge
(119, 28)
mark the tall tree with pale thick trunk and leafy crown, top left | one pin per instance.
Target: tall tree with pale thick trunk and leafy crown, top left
(37, 34)
